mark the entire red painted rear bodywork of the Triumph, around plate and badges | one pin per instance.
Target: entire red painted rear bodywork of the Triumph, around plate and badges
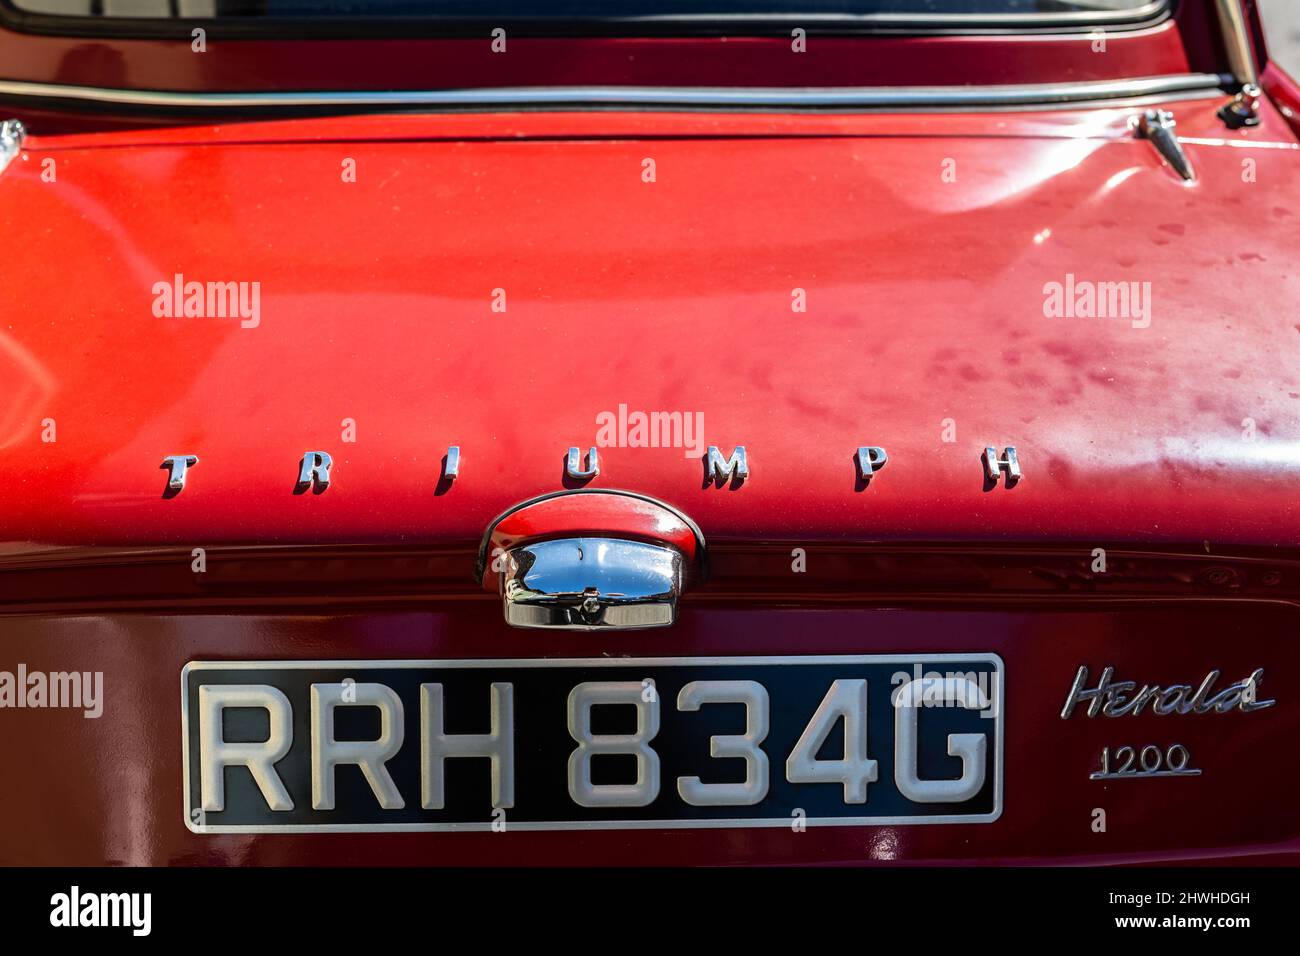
(925, 304)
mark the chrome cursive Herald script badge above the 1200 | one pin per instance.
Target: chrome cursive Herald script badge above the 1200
(1123, 698)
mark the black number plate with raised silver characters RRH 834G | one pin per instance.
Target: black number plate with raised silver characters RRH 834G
(604, 743)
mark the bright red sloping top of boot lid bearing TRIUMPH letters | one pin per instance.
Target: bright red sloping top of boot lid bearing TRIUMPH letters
(925, 306)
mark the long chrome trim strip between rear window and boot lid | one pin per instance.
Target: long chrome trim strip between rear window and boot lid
(726, 98)
